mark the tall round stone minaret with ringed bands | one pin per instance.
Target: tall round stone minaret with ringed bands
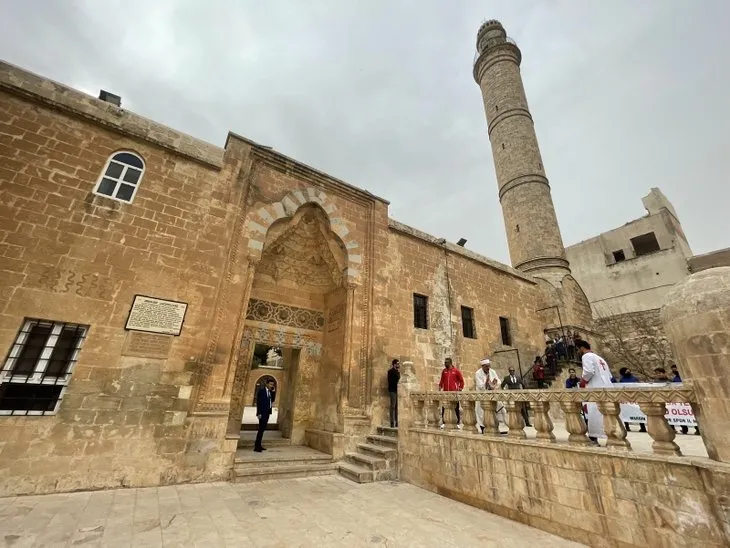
(533, 234)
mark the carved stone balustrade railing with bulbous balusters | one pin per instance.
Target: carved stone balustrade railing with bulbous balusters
(652, 401)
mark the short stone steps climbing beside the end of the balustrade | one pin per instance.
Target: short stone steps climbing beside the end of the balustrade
(375, 460)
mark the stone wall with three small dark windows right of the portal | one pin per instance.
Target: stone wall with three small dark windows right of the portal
(451, 278)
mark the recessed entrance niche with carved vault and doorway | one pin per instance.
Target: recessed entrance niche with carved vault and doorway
(297, 304)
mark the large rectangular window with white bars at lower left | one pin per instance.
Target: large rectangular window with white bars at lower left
(39, 366)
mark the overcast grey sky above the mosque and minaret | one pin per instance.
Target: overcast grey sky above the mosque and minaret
(626, 95)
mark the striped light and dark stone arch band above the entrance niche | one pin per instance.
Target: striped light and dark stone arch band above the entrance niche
(262, 218)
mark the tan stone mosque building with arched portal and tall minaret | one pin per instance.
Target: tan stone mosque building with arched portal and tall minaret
(151, 280)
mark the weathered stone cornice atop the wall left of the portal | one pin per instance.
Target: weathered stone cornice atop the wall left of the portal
(29, 86)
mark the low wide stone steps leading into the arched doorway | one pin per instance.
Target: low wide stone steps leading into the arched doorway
(281, 462)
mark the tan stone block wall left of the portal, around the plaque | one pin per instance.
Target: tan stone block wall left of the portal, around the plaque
(74, 256)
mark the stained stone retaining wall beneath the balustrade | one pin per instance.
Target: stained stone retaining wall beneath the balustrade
(588, 495)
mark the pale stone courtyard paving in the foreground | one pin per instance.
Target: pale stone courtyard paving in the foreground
(325, 511)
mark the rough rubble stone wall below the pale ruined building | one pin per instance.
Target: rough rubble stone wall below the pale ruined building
(637, 341)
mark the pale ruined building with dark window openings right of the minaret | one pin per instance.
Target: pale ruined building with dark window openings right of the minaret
(627, 273)
